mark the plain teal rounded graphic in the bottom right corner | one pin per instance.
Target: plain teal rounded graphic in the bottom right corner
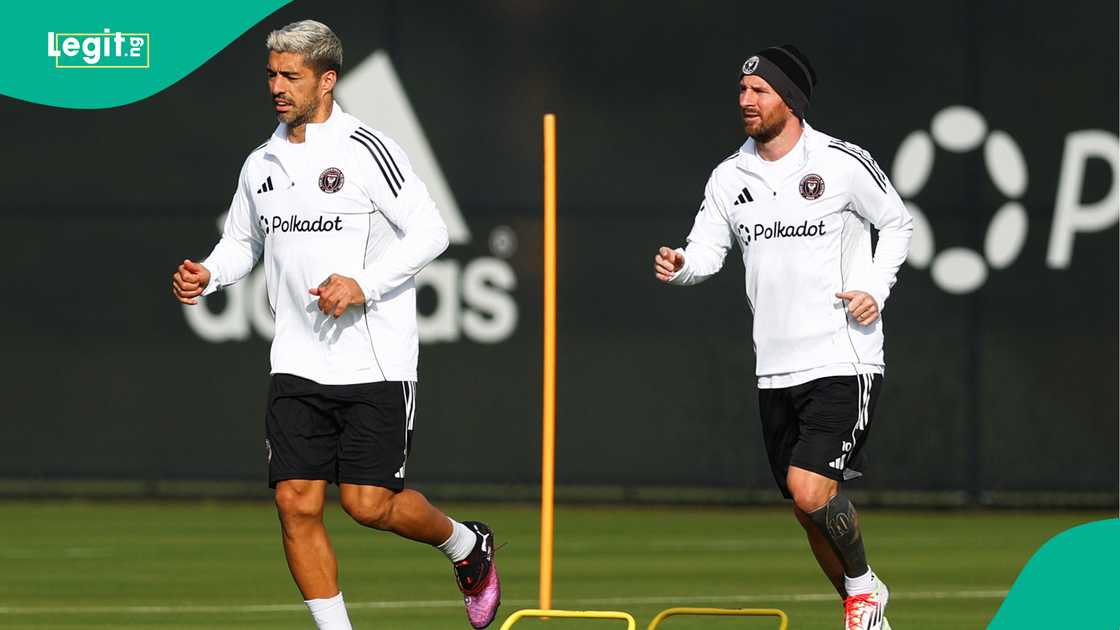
(1074, 581)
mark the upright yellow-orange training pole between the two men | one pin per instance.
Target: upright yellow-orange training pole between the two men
(549, 429)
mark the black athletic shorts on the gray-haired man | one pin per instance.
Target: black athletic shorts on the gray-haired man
(340, 433)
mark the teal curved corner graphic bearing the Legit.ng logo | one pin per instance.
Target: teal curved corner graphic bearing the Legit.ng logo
(94, 55)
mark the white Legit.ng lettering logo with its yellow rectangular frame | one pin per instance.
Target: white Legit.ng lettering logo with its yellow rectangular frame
(105, 50)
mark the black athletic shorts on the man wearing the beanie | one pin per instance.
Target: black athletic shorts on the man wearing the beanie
(820, 427)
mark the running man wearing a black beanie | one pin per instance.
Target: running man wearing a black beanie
(801, 206)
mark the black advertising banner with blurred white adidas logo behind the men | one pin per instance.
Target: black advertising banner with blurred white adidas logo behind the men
(997, 128)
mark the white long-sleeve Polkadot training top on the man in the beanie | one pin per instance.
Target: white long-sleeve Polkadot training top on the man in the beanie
(805, 227)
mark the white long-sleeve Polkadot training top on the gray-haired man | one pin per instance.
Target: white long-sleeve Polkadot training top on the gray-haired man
(346, 201)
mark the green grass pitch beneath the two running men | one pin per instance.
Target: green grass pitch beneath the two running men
(180, 566)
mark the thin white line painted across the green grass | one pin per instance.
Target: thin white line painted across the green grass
(667, 600)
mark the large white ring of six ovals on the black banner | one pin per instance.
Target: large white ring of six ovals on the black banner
(960, 129)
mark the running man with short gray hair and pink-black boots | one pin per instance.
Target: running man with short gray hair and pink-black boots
(344, 226)
